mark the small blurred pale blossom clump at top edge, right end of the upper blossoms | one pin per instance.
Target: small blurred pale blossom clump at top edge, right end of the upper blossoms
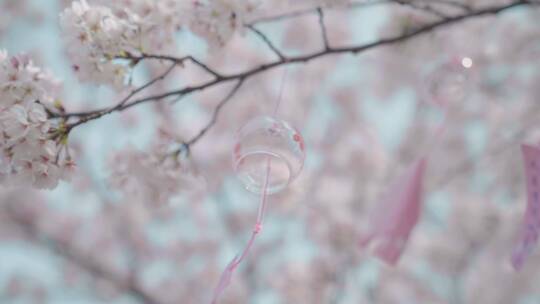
(217, 20)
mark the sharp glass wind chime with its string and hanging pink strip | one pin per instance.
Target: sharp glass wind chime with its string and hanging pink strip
(268, 155)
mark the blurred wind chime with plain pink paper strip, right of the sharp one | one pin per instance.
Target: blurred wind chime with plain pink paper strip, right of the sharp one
(392, 220)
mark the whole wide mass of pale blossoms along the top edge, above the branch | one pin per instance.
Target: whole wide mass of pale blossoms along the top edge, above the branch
(100, 32)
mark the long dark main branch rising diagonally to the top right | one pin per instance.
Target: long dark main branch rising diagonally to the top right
(220, 79)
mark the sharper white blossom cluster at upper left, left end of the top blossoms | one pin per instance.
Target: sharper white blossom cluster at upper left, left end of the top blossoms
(95, 36)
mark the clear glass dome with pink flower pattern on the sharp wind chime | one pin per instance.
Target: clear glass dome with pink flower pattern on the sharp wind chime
(267, 146)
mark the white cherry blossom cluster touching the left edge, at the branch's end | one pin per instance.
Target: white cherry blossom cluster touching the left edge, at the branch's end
(33, 149)
